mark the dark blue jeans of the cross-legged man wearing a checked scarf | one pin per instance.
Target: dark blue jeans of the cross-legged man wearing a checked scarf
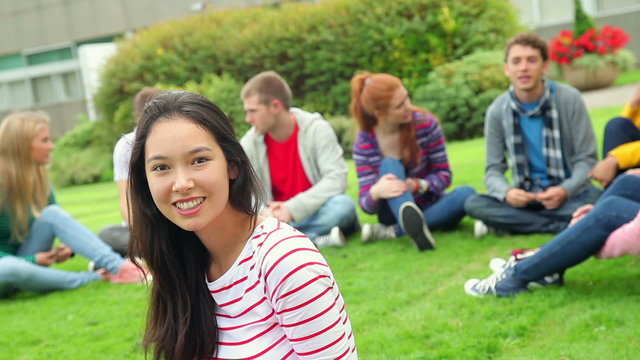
(500, 215)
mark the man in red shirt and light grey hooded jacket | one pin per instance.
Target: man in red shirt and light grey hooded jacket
(298, 161)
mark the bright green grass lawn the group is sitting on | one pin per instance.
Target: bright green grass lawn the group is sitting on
(402, 304)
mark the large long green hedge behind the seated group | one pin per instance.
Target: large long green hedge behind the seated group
(316, 47)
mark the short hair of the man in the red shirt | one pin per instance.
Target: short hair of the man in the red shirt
(269, 86)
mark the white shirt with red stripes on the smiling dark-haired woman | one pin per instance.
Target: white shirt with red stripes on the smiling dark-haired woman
(279, 300)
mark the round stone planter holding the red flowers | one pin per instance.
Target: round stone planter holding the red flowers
(590, 79)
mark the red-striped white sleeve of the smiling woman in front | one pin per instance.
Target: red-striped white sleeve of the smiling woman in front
(306, 299)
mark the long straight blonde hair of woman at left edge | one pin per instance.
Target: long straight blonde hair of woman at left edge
(24, 186)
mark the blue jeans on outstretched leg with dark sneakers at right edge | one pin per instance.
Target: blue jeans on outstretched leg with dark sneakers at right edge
(617, 206)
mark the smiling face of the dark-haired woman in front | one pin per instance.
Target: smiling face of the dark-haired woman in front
(187, 173)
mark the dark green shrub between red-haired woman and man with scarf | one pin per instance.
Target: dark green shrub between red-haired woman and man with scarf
(459, 93)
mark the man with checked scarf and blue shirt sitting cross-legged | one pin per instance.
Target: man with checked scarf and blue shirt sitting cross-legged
(541, 131)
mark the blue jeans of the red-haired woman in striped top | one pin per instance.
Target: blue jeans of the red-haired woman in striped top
(444, 213)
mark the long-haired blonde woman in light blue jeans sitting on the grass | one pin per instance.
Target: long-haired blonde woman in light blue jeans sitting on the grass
(30, 219)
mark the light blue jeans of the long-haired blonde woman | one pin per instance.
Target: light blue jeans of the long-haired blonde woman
(19, 274)
